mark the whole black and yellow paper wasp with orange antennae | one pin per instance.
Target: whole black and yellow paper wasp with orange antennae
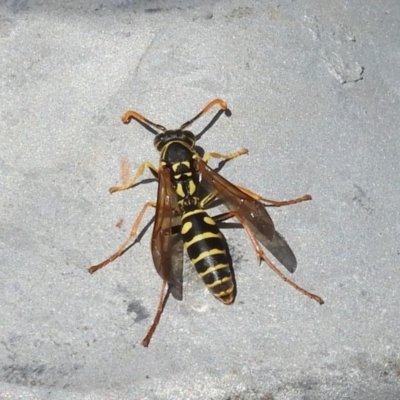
(187, 187)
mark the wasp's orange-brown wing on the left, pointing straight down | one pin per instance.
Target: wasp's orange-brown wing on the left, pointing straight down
(166, 244)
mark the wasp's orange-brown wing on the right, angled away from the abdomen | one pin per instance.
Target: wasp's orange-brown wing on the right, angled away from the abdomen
(252, 210)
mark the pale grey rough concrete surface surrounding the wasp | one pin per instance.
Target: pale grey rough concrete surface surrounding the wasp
(313, 87)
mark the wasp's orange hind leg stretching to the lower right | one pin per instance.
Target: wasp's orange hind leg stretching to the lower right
(261, 255)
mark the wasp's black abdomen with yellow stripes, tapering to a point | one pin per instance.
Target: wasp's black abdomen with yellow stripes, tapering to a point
(207, 250)
